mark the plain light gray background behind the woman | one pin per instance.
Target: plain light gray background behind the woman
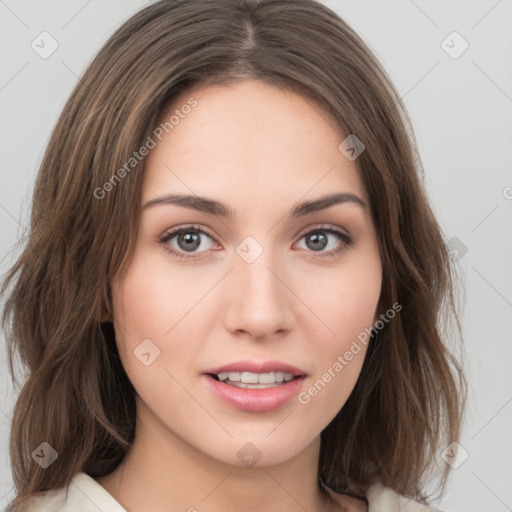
(461, 109)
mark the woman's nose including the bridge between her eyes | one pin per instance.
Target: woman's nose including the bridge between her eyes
(259, 300)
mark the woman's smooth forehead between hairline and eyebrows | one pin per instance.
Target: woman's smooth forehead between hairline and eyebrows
(252, 137)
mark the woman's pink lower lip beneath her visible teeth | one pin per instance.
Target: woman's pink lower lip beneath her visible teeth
(255, 400)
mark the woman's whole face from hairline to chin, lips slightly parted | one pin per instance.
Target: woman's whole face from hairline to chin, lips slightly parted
(275, 283)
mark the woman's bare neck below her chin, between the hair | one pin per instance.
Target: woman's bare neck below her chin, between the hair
(162, 472)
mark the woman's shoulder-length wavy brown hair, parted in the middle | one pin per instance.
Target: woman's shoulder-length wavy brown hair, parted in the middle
(76, 396)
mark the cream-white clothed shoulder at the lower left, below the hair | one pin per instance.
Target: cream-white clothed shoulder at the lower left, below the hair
(83, 494)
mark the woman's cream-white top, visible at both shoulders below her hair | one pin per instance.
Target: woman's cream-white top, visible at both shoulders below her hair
(84, 494)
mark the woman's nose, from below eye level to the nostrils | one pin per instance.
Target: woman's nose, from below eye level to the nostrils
(259, 301)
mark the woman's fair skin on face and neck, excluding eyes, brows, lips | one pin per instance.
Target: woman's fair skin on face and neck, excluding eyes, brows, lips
(260, 150)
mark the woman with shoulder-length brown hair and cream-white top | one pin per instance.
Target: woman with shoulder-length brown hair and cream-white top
(232, 290)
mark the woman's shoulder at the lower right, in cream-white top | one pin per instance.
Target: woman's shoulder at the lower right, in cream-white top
(380, 499)
